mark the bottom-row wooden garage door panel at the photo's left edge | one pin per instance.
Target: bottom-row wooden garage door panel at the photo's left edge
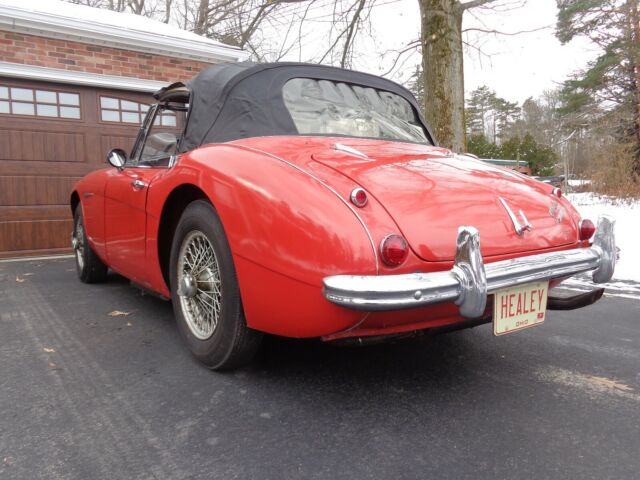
(29, 236)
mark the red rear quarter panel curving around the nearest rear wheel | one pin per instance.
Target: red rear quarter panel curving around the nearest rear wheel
(286, 231)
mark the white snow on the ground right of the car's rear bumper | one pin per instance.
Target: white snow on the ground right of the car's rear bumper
(626, 279)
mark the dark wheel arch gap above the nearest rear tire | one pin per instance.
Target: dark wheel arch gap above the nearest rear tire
(176, 202)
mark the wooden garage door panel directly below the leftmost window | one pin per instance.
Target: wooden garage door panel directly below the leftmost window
(37, 145)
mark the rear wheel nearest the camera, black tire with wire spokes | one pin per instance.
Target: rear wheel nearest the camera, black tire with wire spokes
(231, 343)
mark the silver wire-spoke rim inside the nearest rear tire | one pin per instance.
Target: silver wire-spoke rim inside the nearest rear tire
(199, 285)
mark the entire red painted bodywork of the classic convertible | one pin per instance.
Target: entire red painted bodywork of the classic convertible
(284, 205)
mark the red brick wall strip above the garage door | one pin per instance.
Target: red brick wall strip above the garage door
(83, 57)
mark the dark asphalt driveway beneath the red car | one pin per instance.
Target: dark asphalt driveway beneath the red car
(85, 394)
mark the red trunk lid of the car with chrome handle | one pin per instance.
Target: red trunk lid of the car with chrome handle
(430, 193)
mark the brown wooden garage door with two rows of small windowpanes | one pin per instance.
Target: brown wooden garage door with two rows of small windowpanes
(50, 136)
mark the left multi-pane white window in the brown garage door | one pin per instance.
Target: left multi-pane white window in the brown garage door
(39, 103)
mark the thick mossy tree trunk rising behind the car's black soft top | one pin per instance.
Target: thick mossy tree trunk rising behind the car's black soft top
(442, 63)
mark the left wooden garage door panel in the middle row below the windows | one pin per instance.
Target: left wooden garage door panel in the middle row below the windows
(28, 190)
